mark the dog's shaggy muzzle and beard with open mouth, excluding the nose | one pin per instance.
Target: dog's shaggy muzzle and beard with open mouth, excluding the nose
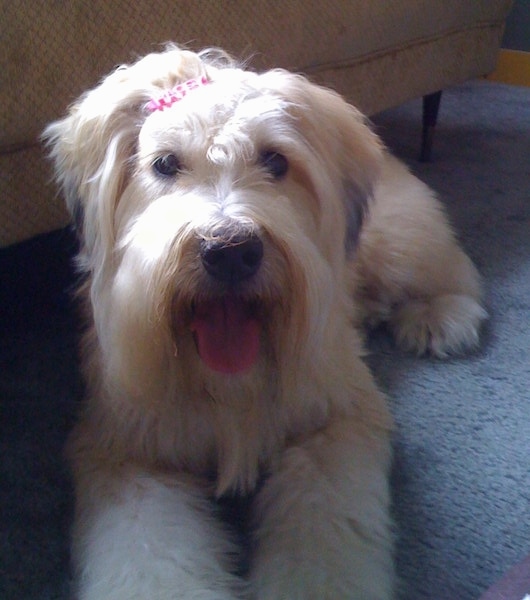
(168, 328)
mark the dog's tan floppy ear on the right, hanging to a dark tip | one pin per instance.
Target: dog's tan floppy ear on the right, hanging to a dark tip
(342, 137)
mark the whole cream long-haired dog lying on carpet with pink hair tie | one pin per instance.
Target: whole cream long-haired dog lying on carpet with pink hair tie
(236, 231)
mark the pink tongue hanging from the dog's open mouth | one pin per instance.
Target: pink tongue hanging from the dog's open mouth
(227, 336)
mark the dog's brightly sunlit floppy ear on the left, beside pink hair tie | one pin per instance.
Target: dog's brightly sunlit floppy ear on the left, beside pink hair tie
(92, 146)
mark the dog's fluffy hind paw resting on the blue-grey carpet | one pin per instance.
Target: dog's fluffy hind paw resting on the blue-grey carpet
(443, 325)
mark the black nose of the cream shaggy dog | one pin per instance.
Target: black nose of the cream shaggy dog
(232, 260)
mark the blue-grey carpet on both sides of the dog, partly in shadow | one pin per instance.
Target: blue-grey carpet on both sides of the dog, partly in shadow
(461, 478)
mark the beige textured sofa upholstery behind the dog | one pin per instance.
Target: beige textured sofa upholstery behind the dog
(378, 54)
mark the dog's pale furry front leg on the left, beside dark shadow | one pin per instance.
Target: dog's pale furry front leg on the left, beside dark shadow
(140, 536)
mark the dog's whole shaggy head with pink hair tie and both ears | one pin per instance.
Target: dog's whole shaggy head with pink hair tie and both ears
(216, 218)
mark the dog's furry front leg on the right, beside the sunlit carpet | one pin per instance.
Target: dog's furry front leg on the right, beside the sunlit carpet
(323, 528)
